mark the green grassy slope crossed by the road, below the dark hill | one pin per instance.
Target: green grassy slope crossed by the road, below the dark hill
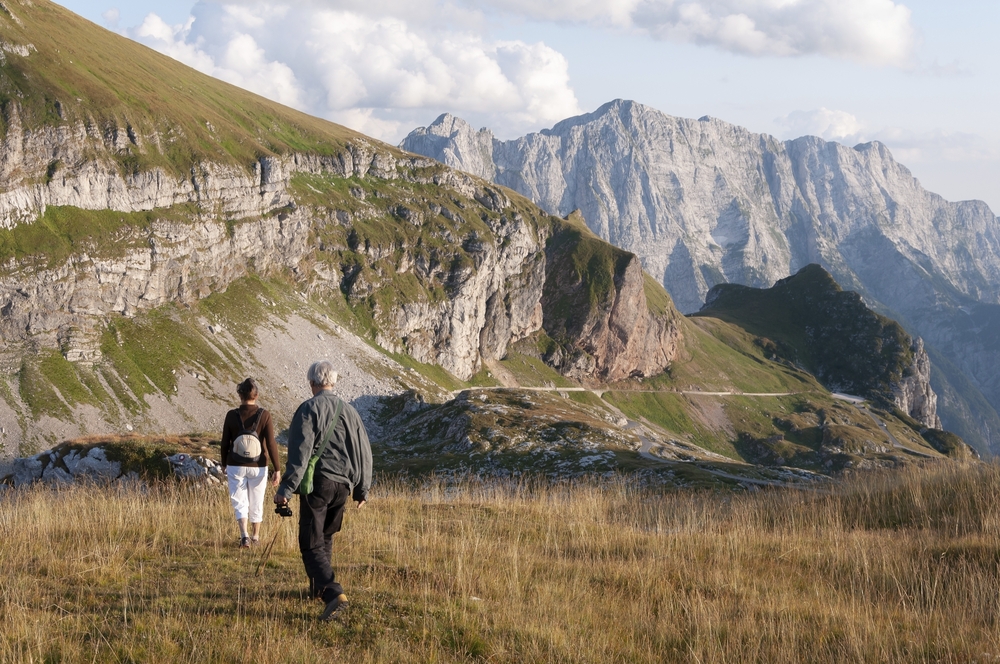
(722, 357)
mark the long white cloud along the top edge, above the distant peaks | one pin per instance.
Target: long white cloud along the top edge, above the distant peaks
(878, 32)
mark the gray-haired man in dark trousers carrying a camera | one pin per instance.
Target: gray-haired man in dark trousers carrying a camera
(343, 471)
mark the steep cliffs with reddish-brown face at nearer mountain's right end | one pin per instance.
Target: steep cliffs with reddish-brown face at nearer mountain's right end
(504, 286)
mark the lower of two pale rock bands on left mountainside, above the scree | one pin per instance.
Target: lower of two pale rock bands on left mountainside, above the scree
(173, 262)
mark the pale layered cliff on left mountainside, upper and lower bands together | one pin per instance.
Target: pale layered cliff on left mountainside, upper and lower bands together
(227, 236)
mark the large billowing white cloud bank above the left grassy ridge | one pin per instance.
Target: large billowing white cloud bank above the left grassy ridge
(366, 68)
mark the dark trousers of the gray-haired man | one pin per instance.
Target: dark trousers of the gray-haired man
(321, 514)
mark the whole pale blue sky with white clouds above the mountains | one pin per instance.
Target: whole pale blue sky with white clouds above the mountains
(921, 76)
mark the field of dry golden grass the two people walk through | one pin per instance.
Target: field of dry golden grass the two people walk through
(888, 568)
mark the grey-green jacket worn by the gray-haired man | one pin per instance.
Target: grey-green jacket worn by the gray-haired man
(348, 456)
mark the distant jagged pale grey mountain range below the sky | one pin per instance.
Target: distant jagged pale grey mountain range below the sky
(703, 202)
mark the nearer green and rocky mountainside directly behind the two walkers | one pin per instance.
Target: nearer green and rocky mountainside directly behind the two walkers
(165, 235)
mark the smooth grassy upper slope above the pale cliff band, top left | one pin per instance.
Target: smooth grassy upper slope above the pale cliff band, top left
(102, 79)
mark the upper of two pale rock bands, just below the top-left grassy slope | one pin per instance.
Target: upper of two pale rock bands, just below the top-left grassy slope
(76, 165)
